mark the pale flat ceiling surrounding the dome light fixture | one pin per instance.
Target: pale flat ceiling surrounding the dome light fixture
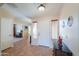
(30, 9)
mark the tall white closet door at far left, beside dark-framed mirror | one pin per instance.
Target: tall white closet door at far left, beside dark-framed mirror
(6, 33)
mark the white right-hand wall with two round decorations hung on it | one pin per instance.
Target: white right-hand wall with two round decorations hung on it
(70, 34)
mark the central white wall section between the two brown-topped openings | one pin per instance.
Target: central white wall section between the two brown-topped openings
(44, 32)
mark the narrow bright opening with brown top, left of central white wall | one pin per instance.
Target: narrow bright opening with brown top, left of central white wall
(34, 33)
